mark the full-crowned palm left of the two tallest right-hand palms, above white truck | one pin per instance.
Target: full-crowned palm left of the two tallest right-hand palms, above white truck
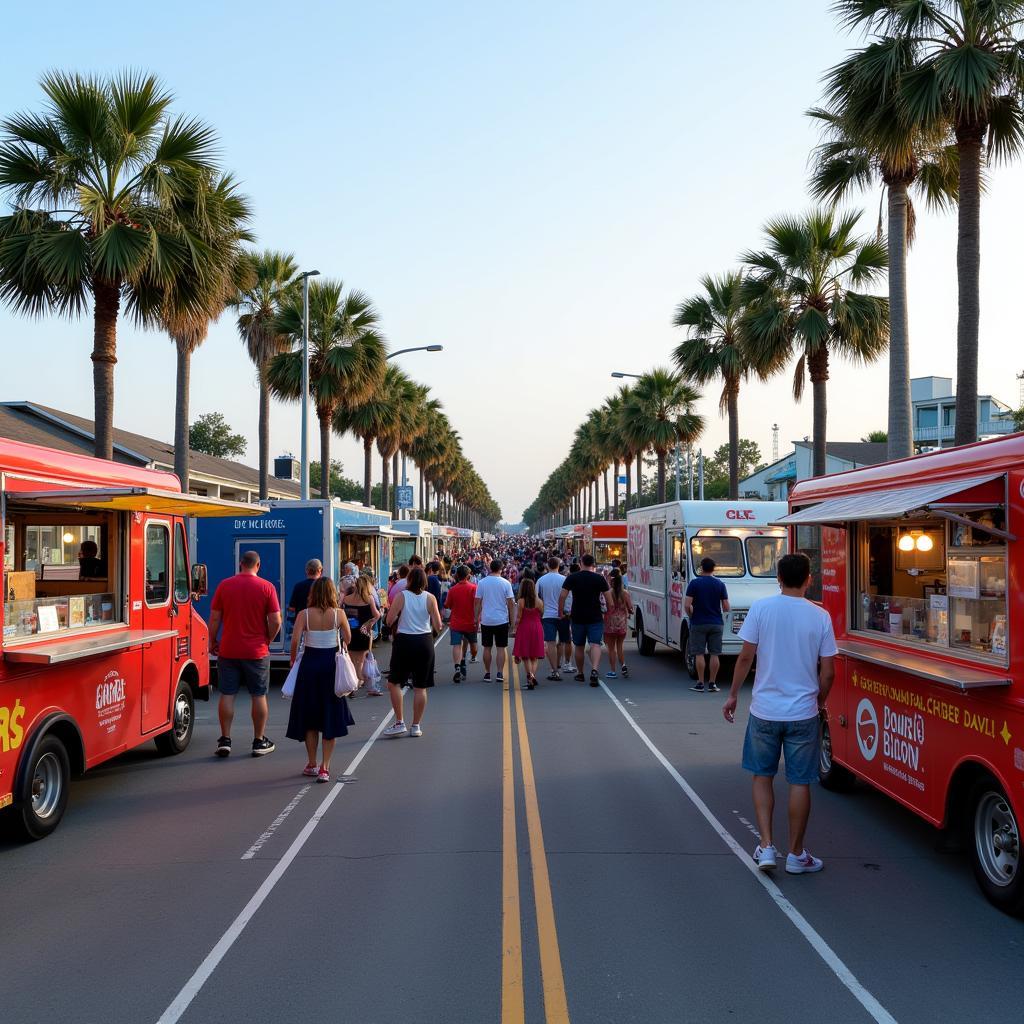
(801, 300)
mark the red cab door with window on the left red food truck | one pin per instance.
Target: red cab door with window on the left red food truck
(159, 613)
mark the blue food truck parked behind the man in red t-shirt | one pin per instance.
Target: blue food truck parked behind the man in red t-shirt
(286, 538)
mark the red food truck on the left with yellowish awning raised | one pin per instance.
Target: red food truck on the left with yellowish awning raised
(102, 649)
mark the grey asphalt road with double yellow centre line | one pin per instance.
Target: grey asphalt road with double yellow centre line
(530, 860)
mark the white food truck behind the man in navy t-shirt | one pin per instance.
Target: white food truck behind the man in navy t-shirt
(666, 546)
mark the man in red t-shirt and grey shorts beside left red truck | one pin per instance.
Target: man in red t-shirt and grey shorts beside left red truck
(249, 610)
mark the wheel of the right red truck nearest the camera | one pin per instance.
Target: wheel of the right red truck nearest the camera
(996, 852)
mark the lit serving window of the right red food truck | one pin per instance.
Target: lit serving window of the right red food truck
(936, 582)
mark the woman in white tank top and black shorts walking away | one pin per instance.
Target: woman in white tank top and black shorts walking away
(414, 618)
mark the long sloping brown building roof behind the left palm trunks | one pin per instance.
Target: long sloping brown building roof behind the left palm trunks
(35, 424)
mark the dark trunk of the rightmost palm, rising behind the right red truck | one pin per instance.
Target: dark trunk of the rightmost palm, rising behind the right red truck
(968, 274)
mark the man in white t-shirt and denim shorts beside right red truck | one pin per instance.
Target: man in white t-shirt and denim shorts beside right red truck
(795, 647)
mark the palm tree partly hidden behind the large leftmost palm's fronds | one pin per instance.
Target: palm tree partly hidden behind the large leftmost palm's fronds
(217, 215)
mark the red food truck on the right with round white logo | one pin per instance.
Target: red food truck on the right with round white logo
(921, 566)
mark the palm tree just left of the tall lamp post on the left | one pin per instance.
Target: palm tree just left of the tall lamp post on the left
(258, 304)
